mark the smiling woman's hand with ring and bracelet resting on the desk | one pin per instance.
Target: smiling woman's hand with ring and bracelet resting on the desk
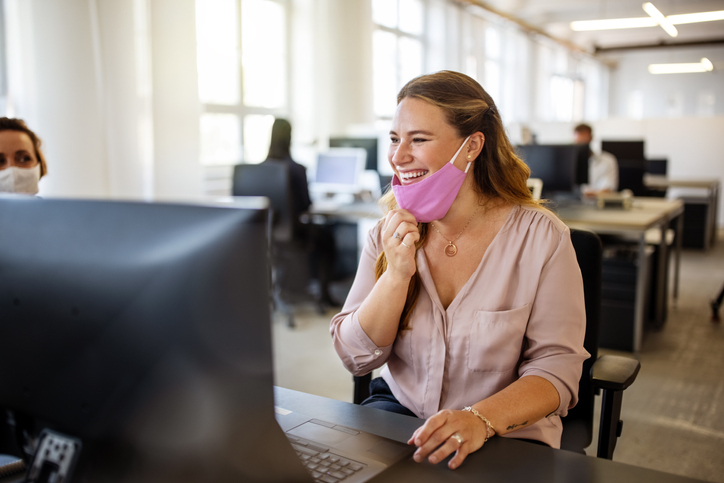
(436, 437)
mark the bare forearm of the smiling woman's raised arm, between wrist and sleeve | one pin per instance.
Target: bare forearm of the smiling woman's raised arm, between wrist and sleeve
(379, 315)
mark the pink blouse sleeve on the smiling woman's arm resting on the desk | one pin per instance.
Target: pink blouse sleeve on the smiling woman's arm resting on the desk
(557, 325)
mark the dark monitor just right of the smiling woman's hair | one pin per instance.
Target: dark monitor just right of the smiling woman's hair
(561, 167)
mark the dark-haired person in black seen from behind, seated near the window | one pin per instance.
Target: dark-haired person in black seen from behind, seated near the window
(319, 237)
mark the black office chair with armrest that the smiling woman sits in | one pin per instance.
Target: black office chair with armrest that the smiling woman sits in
(610, 374)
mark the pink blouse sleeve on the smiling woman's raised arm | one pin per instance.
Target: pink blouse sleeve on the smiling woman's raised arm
(356, 350)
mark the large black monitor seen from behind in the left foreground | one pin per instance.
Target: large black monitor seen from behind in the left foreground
(142, 331)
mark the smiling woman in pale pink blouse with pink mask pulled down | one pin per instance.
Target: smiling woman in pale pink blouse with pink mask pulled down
(467, 288)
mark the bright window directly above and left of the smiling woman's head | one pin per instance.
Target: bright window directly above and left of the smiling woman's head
(397, 49)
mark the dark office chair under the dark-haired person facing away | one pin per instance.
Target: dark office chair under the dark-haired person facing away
(289, 256)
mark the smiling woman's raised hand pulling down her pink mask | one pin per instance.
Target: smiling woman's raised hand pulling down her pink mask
(399, 235)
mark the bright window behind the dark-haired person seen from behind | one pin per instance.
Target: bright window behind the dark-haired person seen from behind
(242, 70)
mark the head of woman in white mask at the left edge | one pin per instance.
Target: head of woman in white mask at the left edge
(22, 163)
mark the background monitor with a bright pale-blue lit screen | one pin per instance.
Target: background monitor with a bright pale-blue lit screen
(339, 170)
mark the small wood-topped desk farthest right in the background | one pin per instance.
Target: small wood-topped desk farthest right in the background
(711, 188)
